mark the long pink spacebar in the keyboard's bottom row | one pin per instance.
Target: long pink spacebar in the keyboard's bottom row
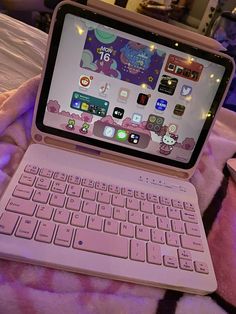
(103, 243)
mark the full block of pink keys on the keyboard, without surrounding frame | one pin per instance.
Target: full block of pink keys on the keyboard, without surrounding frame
(58, 209)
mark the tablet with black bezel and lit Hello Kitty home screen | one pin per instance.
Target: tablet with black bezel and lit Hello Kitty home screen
(124, 89)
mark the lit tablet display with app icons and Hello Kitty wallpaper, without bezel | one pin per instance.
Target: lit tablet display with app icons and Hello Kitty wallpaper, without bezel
(118, 88)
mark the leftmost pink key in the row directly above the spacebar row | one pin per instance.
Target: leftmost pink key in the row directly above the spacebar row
(21, 206)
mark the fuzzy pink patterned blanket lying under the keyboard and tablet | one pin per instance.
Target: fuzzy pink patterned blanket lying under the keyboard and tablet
(26, 289)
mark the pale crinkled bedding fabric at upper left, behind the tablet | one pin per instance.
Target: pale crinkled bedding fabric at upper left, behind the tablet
(22, 49)
